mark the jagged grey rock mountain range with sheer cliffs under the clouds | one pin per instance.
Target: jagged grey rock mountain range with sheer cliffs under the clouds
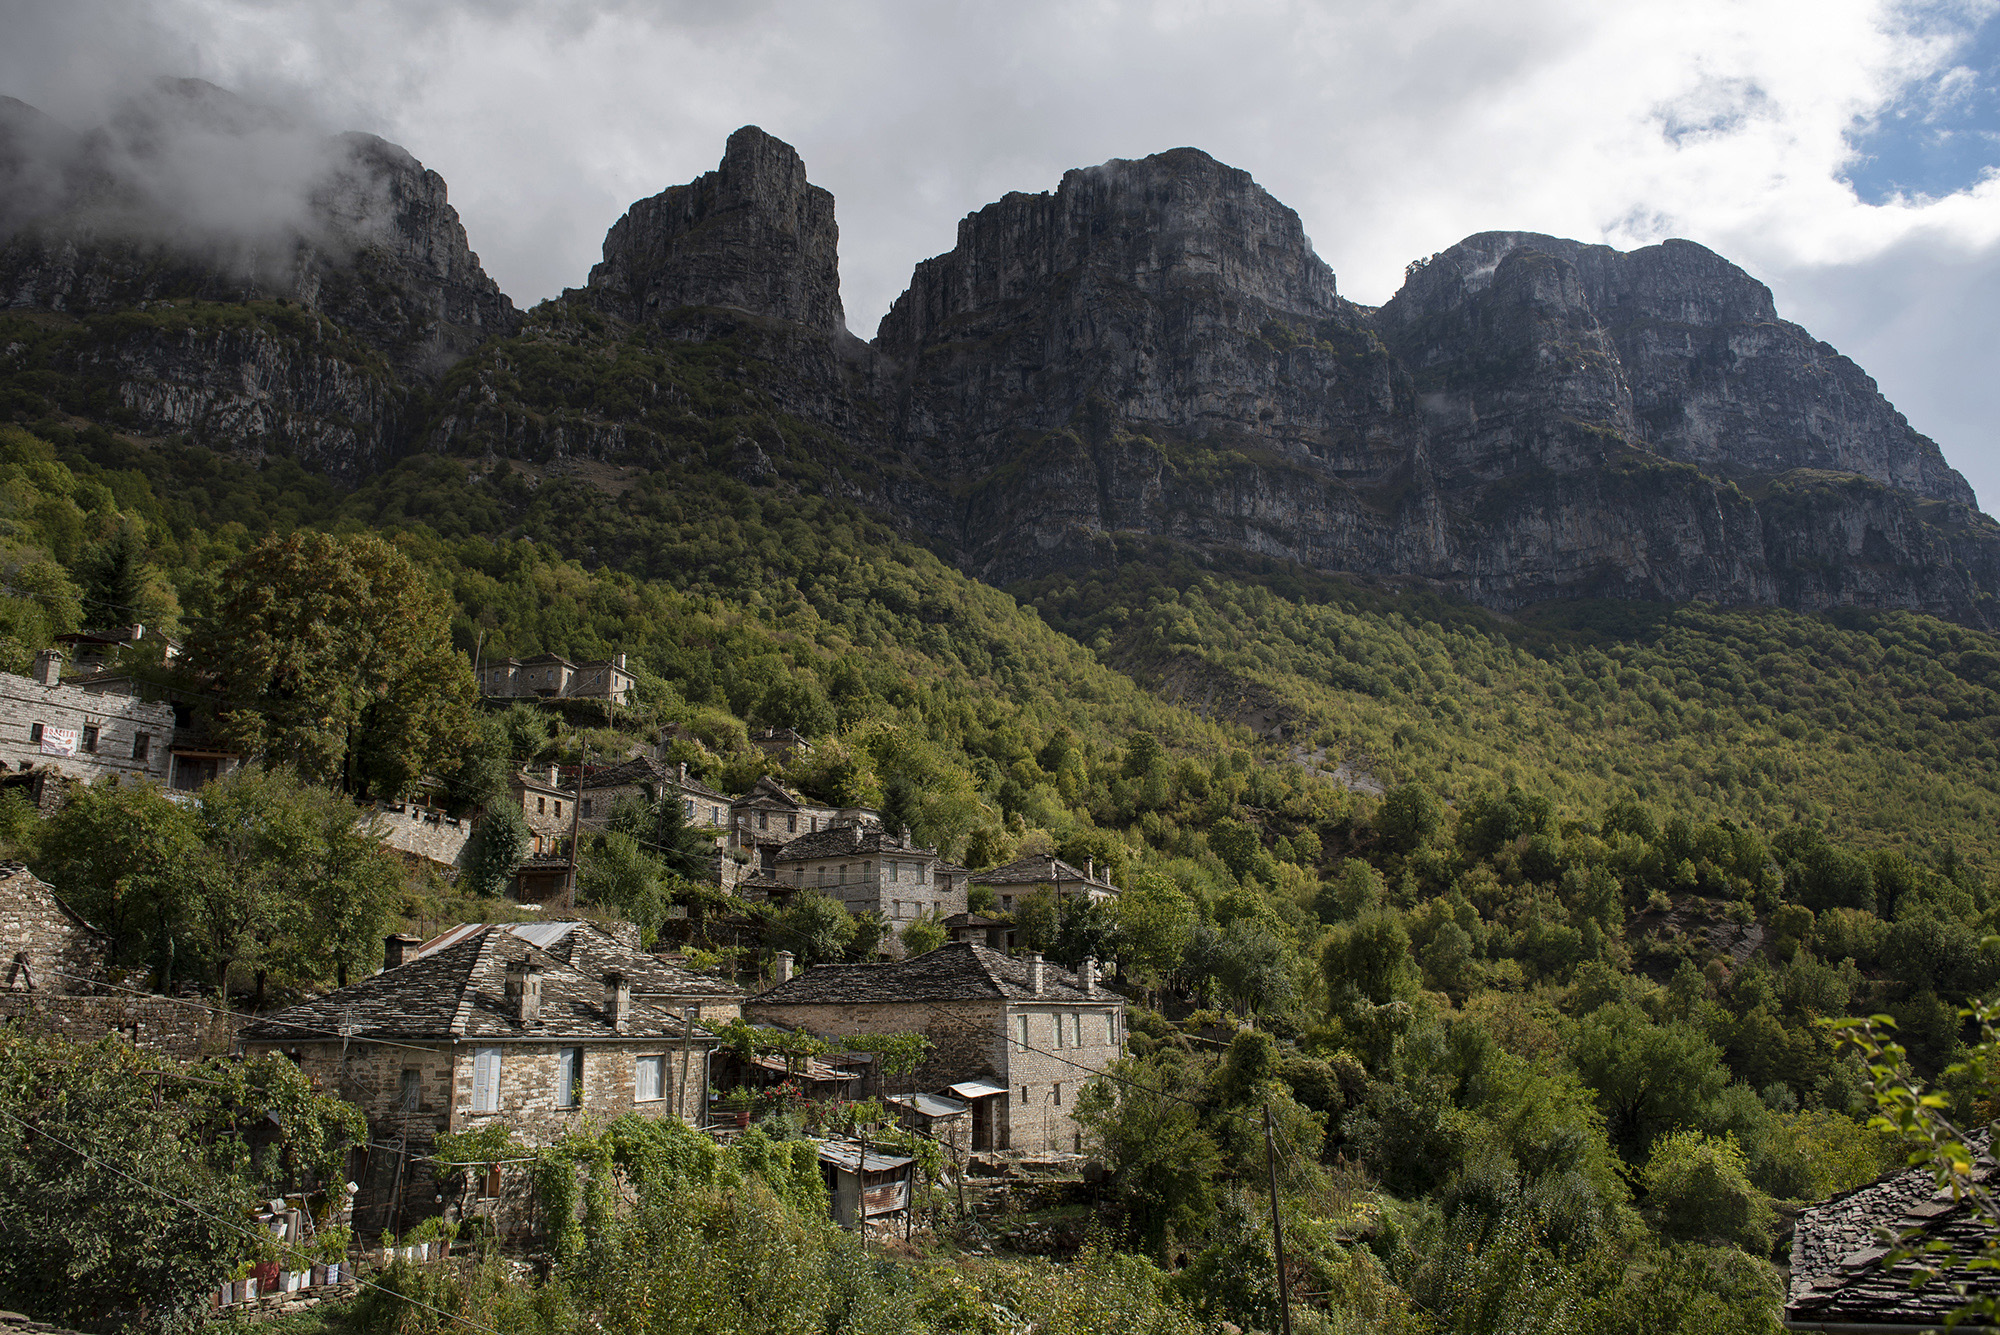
(1151, 351)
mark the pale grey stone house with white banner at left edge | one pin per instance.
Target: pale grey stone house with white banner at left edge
(49, 730)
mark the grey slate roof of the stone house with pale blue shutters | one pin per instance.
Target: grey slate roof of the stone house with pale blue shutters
(461, 992)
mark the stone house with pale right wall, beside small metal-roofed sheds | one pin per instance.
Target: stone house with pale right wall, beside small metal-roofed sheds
(1025, 1036)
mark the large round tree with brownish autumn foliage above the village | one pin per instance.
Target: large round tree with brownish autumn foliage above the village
(335, 657)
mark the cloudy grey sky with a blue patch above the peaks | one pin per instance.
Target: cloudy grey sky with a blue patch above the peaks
(1847, 153)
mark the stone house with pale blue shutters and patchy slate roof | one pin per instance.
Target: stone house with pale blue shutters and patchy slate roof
(491, 1024)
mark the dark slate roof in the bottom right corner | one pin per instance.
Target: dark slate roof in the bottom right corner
(1837, 1258)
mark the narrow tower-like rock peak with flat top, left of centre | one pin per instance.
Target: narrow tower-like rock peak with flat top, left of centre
(751, 237)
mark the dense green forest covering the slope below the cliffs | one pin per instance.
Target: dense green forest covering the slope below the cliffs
(1523, 926)
